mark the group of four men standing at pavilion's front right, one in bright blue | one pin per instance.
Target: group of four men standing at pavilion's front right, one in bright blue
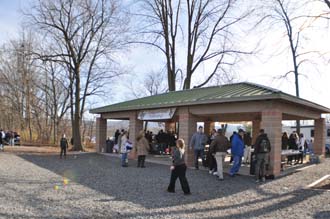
(240, 145)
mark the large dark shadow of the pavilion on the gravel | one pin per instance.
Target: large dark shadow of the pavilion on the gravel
(140, 186)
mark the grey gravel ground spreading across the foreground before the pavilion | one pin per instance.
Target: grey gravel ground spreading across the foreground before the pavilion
(95, 186)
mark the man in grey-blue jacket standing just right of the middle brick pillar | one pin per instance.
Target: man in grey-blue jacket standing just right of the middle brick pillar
(198, 142)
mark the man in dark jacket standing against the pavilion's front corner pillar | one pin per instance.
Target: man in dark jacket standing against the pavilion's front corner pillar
(261, 150)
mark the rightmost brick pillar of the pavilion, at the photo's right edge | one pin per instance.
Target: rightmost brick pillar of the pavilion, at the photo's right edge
(319, 136)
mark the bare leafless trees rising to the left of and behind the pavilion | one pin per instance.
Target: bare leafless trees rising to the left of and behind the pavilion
(66, 53)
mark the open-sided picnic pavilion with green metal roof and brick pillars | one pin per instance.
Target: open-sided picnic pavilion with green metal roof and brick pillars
(265, 107)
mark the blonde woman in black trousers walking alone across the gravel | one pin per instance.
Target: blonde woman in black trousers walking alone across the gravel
(178, 169)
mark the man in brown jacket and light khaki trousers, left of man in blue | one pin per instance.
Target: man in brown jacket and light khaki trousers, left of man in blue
(219, 147)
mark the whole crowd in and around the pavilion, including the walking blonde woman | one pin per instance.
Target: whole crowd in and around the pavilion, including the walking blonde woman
(239, 145)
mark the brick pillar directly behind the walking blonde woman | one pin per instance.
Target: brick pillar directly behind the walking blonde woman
(187, 127)
